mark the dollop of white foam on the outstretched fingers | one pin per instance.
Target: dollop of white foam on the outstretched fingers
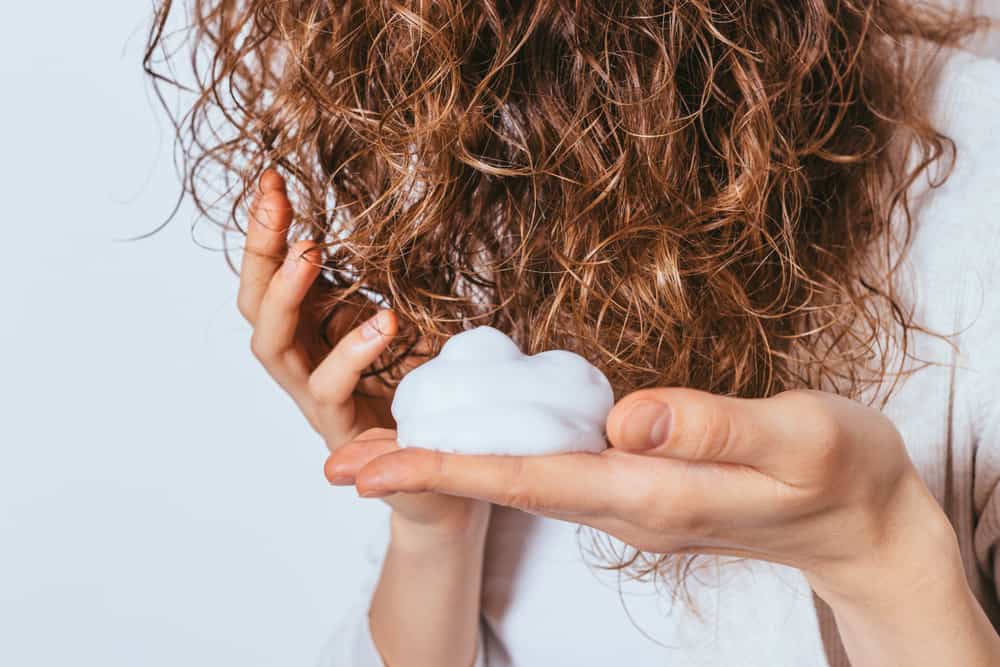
(481, 395)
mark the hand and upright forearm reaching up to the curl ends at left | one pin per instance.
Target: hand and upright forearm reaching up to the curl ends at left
(425, 608)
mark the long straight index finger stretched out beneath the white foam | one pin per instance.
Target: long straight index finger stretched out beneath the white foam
(672, 495)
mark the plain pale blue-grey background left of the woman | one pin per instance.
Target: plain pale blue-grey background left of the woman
(161, 500)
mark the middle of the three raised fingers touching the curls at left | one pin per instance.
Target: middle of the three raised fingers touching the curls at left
(274, 340)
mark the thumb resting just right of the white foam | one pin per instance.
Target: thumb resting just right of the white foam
(776, 435)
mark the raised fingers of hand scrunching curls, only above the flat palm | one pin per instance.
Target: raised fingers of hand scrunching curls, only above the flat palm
(276, 283)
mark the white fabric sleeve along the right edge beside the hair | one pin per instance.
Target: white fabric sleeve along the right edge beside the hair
(961, 277)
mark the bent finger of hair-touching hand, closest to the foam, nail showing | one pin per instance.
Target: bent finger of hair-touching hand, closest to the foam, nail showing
(333, 382)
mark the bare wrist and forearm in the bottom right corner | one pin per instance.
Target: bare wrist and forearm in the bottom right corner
(912, 605)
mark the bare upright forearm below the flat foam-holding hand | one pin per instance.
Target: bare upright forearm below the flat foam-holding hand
(425, 608)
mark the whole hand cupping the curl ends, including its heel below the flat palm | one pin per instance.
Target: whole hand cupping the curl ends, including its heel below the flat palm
(276, 283)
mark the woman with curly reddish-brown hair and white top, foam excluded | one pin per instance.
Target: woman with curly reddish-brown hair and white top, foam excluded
(750, 216)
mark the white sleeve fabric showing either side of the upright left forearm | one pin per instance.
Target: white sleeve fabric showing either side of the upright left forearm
(350, 644)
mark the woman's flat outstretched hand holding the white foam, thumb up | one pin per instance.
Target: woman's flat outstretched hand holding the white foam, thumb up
(805, 478)
